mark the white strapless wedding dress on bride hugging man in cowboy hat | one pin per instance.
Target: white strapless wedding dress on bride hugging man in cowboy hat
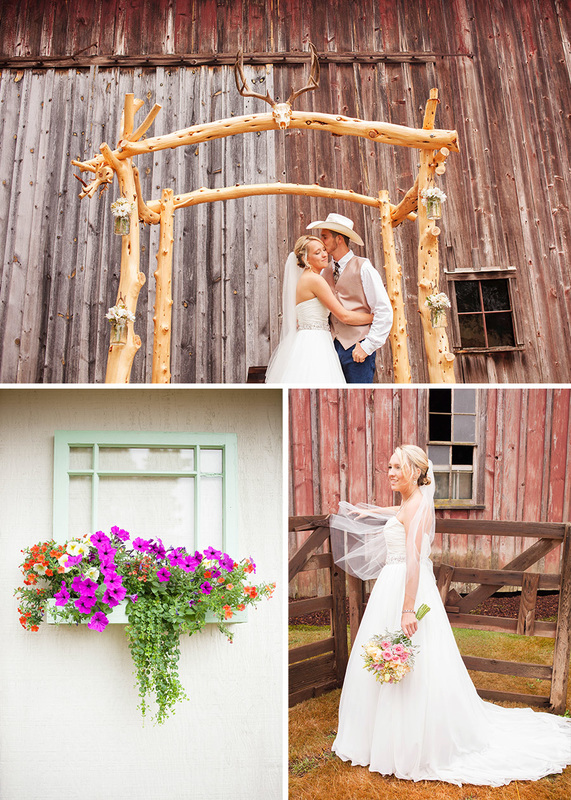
(308, 356)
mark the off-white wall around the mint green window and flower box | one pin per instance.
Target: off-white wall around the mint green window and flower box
(69, 726)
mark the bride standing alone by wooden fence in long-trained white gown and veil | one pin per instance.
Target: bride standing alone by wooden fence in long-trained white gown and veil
(432, 725)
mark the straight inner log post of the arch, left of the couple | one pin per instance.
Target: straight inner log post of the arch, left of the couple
(163, 303)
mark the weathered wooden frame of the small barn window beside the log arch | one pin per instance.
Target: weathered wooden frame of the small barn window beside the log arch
(508, 274)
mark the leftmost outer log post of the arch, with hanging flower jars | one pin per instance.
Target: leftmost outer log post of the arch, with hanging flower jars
(121, 355)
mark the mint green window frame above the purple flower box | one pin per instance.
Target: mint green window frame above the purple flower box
(66, 441)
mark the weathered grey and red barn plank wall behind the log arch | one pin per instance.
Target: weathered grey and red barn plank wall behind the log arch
(502, 71)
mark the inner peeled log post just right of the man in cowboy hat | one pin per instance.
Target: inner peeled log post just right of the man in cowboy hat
(398, 335)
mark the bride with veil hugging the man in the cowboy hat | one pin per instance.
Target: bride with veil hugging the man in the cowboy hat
(306, 354)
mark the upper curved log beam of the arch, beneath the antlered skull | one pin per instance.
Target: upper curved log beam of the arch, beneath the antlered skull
(375, 131)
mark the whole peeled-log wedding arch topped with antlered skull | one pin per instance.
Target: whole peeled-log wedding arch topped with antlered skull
(434, 147)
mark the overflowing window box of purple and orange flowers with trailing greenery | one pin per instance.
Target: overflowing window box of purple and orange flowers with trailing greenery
(159, 593)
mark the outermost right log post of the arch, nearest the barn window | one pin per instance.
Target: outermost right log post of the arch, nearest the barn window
(440, 360)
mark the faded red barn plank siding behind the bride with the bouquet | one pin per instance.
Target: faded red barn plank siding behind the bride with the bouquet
(526, 440)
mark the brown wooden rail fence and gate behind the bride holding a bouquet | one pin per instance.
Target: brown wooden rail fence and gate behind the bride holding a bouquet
(304, 667)
